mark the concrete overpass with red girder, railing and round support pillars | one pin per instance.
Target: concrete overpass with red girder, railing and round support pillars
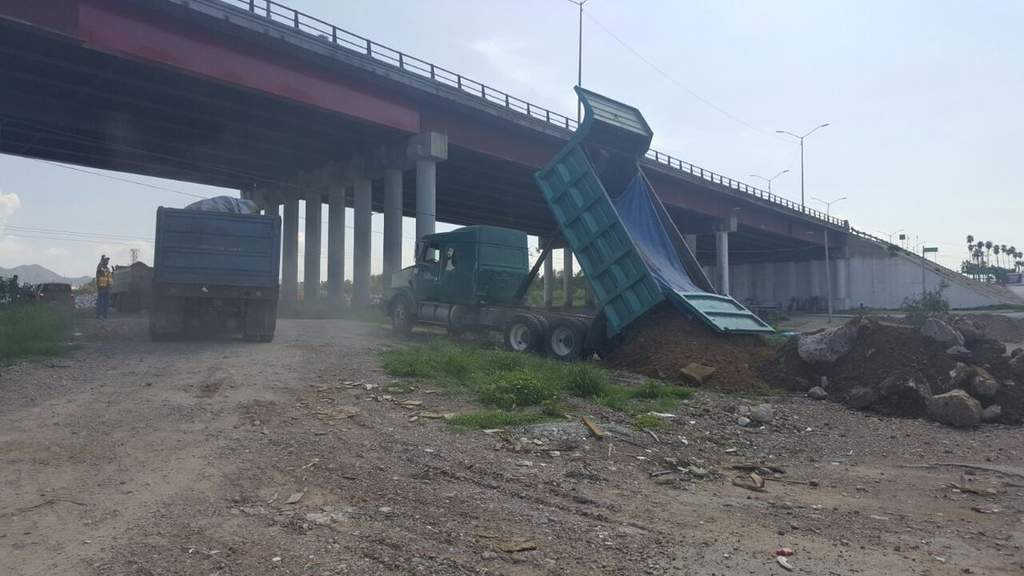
(254, 96)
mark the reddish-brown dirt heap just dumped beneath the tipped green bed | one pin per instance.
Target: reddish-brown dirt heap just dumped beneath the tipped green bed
(666, 342)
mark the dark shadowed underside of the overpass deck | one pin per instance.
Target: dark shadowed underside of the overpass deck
(65, 103)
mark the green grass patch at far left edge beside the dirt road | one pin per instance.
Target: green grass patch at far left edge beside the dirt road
(31, 331)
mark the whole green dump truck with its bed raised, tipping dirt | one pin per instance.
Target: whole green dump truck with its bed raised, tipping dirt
(476, 278)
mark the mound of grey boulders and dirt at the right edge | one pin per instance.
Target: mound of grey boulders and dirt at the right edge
(947, 371)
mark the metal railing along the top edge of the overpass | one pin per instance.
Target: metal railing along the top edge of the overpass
(286, 17)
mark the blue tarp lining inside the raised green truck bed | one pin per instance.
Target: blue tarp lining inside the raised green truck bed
(637, 213)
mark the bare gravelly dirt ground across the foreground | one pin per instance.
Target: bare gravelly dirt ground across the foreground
(224, 458)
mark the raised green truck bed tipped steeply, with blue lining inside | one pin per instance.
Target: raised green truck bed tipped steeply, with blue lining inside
(627, 245)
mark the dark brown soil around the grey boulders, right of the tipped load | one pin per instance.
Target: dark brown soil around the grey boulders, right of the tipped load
(893, 369)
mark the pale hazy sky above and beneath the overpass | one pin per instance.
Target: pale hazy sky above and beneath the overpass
(923, 100)
